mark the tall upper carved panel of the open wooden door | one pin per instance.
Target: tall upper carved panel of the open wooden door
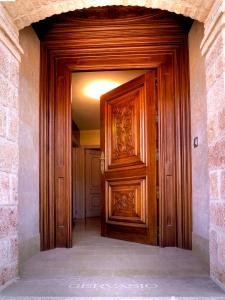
(125, 134)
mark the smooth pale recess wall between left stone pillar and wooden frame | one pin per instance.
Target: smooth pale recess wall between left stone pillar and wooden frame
(28, 213)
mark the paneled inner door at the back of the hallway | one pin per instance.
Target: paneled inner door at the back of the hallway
(92, 183)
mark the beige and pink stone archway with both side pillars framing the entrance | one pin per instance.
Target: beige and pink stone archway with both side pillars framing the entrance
(21, 13)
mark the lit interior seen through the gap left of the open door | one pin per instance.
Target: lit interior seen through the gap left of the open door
(87, 197)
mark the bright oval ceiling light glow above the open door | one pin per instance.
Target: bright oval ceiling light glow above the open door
(95, 89)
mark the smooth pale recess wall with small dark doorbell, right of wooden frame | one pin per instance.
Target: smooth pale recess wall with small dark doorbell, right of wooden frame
(200, 181)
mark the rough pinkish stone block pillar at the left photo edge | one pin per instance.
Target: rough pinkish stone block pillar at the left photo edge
(9, 81)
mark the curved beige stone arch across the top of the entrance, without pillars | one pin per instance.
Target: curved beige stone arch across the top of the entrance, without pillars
(25, 12)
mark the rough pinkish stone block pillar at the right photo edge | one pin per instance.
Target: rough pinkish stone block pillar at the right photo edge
(213, 47)
